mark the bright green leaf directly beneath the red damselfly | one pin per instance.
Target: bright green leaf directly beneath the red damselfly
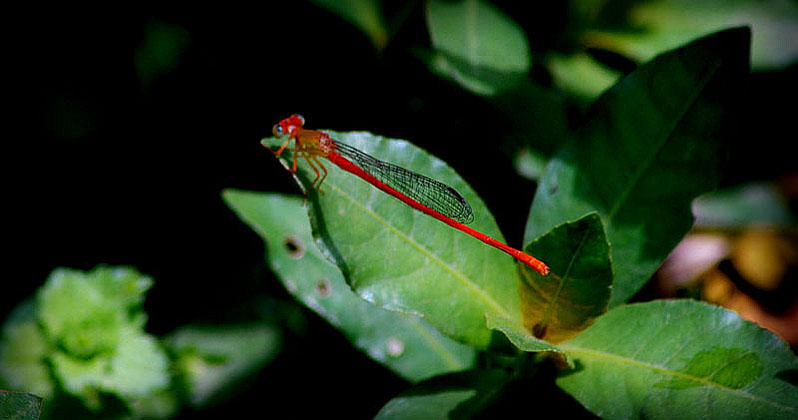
(403, 260)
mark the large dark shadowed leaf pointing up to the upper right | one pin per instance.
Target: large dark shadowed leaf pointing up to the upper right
(650, 146)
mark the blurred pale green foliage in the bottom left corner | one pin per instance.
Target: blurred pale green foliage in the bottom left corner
(83, 338)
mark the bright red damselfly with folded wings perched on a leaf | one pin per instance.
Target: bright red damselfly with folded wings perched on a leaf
(420, 192)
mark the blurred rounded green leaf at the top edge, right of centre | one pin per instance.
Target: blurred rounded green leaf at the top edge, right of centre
(477, 45)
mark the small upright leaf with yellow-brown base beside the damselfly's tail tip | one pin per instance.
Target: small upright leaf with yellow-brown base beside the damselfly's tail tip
(558, 306)
